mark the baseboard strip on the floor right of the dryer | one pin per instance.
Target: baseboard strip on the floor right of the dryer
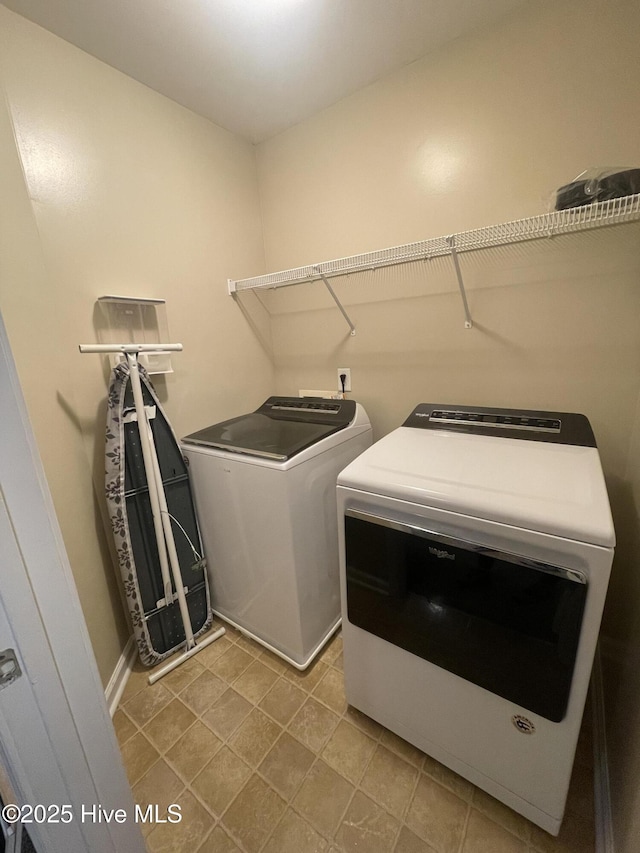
(602, 792)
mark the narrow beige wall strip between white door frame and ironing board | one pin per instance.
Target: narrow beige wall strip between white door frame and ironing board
(31, 313)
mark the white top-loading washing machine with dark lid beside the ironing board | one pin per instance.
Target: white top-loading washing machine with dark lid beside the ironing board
(264, 486)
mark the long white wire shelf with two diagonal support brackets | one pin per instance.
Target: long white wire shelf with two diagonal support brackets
(598, 215)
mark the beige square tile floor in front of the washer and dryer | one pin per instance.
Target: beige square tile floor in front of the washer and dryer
(261, 757)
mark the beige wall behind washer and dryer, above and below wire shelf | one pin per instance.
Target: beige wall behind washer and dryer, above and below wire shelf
(478, 133)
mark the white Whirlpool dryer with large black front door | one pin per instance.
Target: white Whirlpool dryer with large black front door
(475, 550)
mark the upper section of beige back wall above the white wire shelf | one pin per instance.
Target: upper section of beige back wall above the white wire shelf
(480, 132)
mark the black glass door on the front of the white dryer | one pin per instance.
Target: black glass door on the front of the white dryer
(504, 622)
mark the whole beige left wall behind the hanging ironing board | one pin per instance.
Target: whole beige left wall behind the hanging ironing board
(110, 188)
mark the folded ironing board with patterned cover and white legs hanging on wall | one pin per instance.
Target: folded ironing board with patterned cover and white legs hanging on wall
(153, 520)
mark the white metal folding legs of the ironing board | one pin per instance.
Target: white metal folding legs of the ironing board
(168, 556)
